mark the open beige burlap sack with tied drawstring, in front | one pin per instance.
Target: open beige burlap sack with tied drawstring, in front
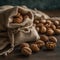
(17, 33)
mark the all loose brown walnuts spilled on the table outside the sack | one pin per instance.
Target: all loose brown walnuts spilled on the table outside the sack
(46, 28)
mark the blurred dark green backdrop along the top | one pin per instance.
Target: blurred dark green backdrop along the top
(39, 4)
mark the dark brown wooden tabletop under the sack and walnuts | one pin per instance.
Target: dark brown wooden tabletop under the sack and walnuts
(43, 54)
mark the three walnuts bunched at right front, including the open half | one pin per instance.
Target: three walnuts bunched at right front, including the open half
(50, 42)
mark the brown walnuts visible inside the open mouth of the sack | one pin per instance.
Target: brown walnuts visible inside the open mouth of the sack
(19, 17)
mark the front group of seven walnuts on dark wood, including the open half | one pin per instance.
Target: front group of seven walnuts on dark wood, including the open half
(49, 42)
